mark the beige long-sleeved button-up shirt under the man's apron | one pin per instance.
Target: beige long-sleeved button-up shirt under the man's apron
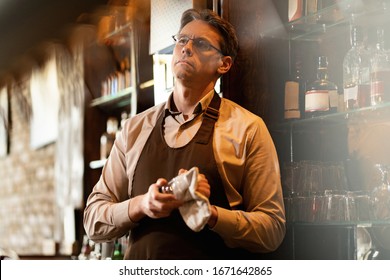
(247, 163)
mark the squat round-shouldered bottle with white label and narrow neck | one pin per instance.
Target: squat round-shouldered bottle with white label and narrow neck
(321, 92)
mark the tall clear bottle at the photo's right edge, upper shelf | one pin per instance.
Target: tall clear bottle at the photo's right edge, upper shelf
(380, 71)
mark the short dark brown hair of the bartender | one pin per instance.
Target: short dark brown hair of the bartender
(229, 44)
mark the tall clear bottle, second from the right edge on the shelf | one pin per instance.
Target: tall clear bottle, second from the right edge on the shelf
(356, 72)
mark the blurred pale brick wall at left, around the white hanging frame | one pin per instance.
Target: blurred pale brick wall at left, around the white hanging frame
(32, 199)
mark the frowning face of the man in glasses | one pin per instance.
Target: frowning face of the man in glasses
(191, 64)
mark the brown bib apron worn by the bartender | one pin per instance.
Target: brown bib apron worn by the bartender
(170, 238)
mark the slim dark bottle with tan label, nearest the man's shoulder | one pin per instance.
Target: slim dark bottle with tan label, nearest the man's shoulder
(293, 91)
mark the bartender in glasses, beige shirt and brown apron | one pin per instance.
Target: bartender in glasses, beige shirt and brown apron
(232, 148)
